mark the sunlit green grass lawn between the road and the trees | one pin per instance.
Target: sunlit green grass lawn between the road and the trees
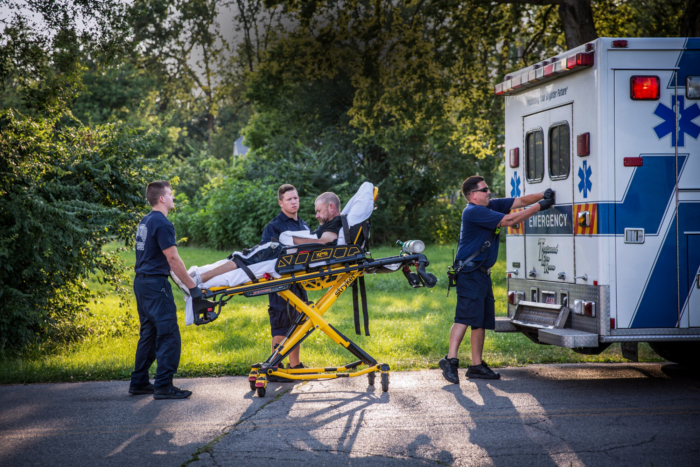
(409, 330)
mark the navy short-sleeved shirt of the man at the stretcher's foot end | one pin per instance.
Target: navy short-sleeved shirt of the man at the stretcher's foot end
(154, 234)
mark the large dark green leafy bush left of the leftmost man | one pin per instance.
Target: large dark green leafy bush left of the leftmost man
(64, 192)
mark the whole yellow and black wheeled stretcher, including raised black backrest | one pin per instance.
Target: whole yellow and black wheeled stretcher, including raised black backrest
(317, 267)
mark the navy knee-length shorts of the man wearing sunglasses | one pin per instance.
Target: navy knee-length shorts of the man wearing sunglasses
(475, 302)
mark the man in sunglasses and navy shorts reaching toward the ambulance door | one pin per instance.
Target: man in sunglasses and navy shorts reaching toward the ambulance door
(475, 303)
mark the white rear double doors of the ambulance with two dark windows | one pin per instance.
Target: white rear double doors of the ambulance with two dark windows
(549, 239)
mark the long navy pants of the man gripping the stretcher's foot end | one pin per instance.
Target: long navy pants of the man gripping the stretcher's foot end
(160, 335)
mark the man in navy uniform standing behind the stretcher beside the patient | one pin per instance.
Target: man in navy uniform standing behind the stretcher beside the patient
(280, 321)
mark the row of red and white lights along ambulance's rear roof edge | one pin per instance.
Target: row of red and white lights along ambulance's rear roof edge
(546, 69)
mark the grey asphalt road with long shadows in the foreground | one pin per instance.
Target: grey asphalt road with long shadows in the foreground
(582, 414)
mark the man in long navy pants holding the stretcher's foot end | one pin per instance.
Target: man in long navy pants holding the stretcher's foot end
(156, 254)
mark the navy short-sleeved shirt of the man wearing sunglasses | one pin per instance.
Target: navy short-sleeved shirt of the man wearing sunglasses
(478, 223)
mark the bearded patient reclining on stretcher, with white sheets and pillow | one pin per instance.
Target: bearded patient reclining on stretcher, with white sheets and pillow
(261, 260)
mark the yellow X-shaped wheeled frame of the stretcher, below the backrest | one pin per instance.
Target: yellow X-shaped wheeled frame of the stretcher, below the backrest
(337, 279)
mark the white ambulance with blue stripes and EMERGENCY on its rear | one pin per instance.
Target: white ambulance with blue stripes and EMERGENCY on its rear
(613, 127)
